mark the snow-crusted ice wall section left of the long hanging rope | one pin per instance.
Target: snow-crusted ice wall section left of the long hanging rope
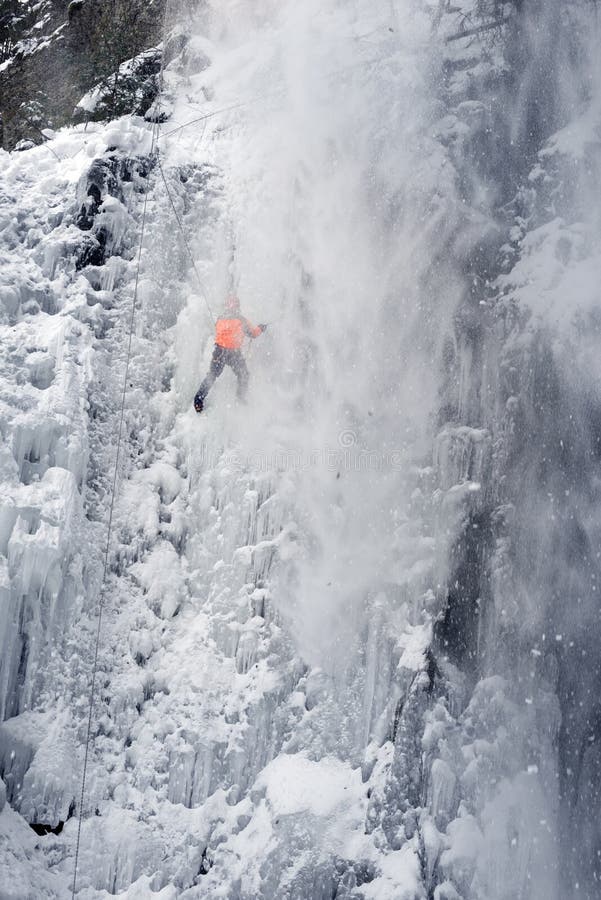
(57, 327)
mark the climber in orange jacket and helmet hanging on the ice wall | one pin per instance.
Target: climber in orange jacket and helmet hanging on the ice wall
(230, 330)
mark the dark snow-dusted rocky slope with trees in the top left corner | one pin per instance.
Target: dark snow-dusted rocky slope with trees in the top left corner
(55, 51)
